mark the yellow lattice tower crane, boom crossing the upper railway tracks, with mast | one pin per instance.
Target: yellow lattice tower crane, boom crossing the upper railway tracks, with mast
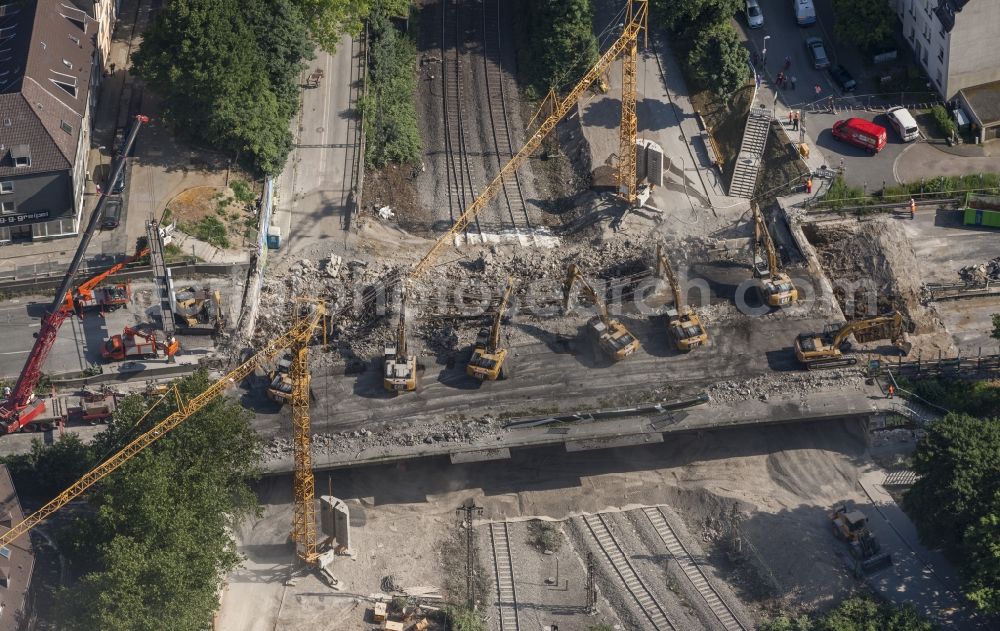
(625, 43)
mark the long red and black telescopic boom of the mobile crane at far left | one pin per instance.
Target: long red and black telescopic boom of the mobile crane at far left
(21, 407)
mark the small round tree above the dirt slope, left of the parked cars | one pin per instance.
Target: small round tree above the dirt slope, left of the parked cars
(719, 60)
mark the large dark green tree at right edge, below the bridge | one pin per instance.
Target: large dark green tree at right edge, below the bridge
(956, 500)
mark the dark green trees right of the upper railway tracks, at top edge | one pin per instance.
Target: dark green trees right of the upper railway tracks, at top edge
(560, 46)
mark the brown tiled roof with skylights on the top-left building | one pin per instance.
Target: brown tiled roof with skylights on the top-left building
(46, 59)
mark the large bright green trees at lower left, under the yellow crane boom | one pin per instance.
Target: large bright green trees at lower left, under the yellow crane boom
(159, 542)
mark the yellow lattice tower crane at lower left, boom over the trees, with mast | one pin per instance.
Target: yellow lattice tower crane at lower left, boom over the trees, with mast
(297, 338)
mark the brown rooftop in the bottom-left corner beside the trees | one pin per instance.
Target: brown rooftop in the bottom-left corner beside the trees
(16, 561)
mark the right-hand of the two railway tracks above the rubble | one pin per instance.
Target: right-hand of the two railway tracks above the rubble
(496, 98)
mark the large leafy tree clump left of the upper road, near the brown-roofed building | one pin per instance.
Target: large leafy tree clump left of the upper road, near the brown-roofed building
(227, 74)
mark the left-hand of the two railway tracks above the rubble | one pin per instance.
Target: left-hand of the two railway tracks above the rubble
(460, 190)
